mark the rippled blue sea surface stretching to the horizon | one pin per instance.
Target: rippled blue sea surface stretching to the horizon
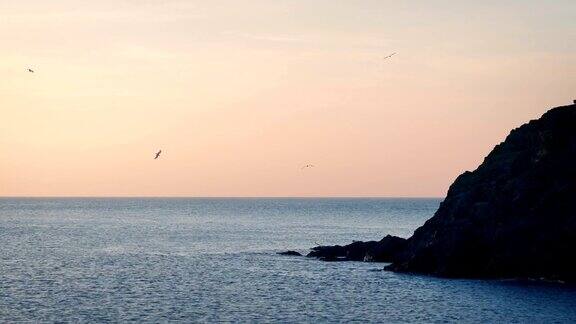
(212, 260)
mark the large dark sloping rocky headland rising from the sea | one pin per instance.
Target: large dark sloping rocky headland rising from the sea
(514, 216)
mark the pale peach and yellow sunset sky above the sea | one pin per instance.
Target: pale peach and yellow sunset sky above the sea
(240, 94)
